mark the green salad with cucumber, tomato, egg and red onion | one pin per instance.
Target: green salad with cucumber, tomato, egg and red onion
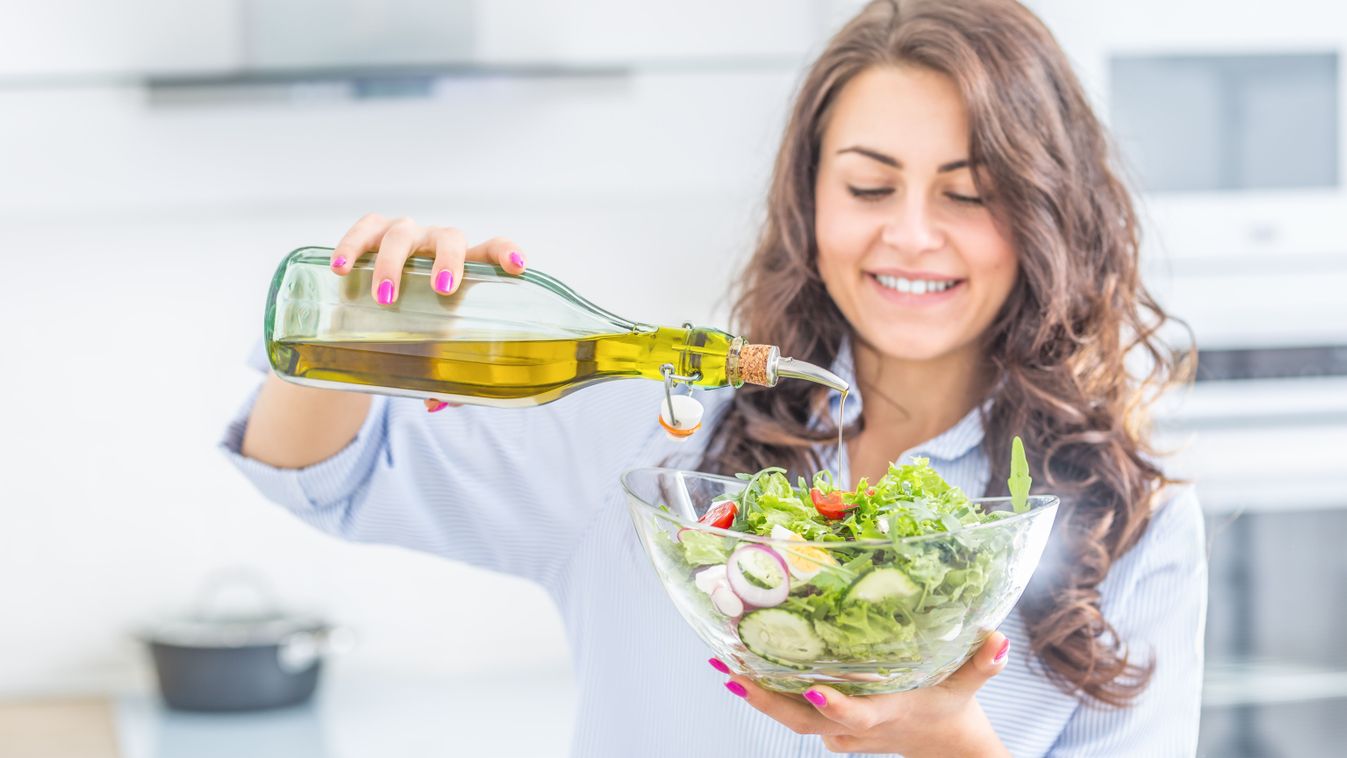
(857, 588)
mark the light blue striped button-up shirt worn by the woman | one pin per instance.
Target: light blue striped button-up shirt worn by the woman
(645, 685)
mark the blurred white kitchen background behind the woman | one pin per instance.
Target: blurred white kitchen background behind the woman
(160, 158)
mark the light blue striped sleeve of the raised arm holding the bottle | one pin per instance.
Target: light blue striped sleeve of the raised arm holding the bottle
(506, 489)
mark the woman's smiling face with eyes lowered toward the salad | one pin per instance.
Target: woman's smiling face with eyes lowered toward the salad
(907, 248)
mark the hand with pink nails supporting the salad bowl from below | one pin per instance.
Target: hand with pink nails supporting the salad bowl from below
(944, 720)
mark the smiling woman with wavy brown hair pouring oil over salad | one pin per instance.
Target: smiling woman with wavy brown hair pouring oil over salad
(946, 231)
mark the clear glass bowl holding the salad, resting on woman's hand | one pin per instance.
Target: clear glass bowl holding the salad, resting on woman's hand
(865, 617)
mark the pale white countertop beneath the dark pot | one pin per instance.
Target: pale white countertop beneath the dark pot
(368, 714)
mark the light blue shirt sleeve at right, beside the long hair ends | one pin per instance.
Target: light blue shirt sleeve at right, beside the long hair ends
(1160, 615)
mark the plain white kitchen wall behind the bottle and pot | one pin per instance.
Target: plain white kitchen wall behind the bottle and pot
(141, 244)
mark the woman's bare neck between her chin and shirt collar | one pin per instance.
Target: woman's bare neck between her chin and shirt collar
(911, 402)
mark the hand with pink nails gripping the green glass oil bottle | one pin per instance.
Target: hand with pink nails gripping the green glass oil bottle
(395, 240)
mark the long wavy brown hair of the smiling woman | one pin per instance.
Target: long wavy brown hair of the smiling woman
(1066, 347)
